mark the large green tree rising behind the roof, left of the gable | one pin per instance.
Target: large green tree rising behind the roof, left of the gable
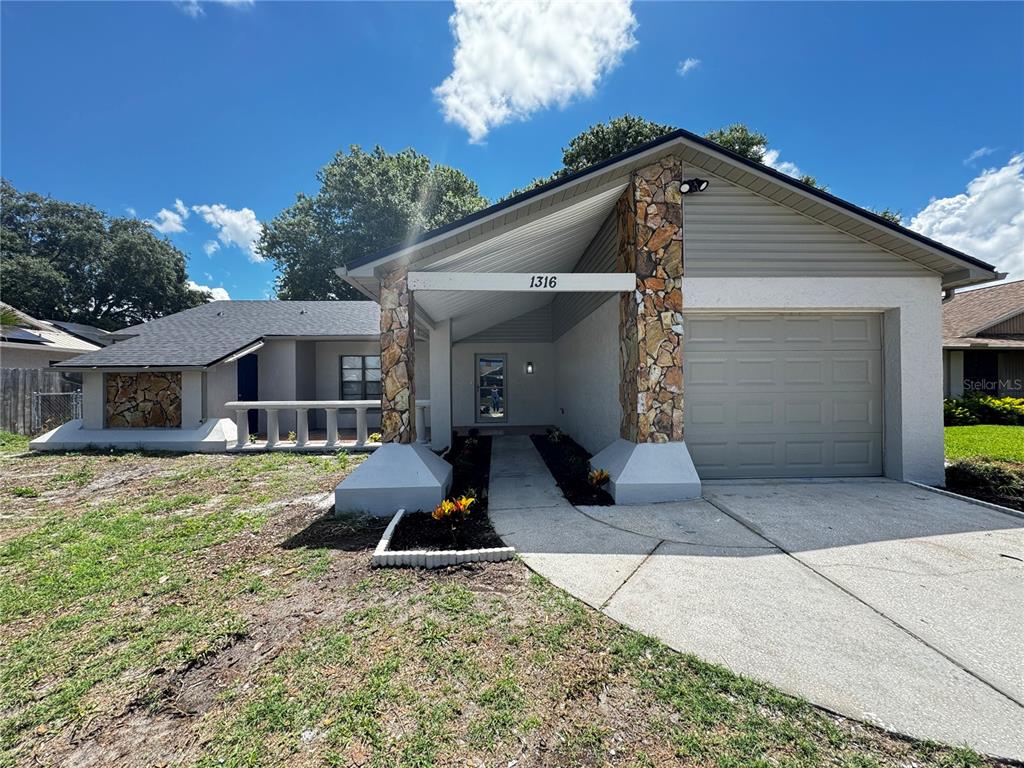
(368, 202)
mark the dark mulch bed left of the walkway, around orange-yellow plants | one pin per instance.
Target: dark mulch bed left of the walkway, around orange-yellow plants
(471, 459)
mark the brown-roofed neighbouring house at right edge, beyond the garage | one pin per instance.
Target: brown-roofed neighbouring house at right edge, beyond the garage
(984, 342)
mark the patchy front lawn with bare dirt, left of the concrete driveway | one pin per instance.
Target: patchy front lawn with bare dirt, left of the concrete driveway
(202, 612)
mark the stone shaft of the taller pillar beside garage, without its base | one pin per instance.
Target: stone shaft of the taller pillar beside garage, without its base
(651, 244)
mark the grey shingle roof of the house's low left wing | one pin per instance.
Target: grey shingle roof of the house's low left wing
(207, 334)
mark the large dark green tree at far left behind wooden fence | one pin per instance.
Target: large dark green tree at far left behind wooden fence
(70, 262)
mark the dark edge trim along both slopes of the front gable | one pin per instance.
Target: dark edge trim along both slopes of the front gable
(667, 139)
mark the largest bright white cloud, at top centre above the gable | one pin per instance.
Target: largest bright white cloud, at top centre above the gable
(514, 59)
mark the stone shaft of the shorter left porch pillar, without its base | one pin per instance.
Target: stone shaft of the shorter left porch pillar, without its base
(398, 359)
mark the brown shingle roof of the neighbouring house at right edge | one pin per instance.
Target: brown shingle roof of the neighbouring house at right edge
(972, 313)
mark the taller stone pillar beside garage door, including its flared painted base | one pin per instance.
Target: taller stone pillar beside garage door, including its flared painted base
(650, 462)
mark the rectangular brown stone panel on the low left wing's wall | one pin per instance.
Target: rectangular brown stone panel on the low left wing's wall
(144, 400)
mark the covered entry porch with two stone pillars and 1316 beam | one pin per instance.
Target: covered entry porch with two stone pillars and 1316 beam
(585, 335)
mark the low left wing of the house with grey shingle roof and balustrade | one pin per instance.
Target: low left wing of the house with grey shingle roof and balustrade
(176, 377)
